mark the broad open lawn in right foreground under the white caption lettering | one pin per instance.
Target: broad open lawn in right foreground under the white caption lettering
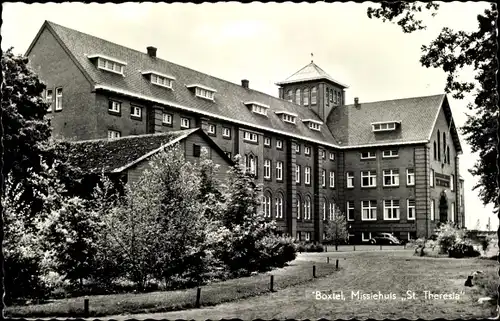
(368, 272)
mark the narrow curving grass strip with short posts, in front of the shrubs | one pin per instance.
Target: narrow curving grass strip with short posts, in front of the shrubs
(297, 272)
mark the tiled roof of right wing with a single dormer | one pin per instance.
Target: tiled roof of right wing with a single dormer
(351, 124)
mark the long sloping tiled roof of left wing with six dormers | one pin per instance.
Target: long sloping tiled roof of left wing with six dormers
(227, 105)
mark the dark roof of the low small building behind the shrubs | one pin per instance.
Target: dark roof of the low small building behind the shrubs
(116, 155)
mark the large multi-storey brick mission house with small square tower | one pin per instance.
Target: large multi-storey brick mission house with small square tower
(391, 166)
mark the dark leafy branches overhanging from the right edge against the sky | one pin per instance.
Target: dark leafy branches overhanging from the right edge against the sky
(451, 51)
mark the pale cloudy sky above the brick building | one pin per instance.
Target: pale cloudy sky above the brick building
(266, 43)
